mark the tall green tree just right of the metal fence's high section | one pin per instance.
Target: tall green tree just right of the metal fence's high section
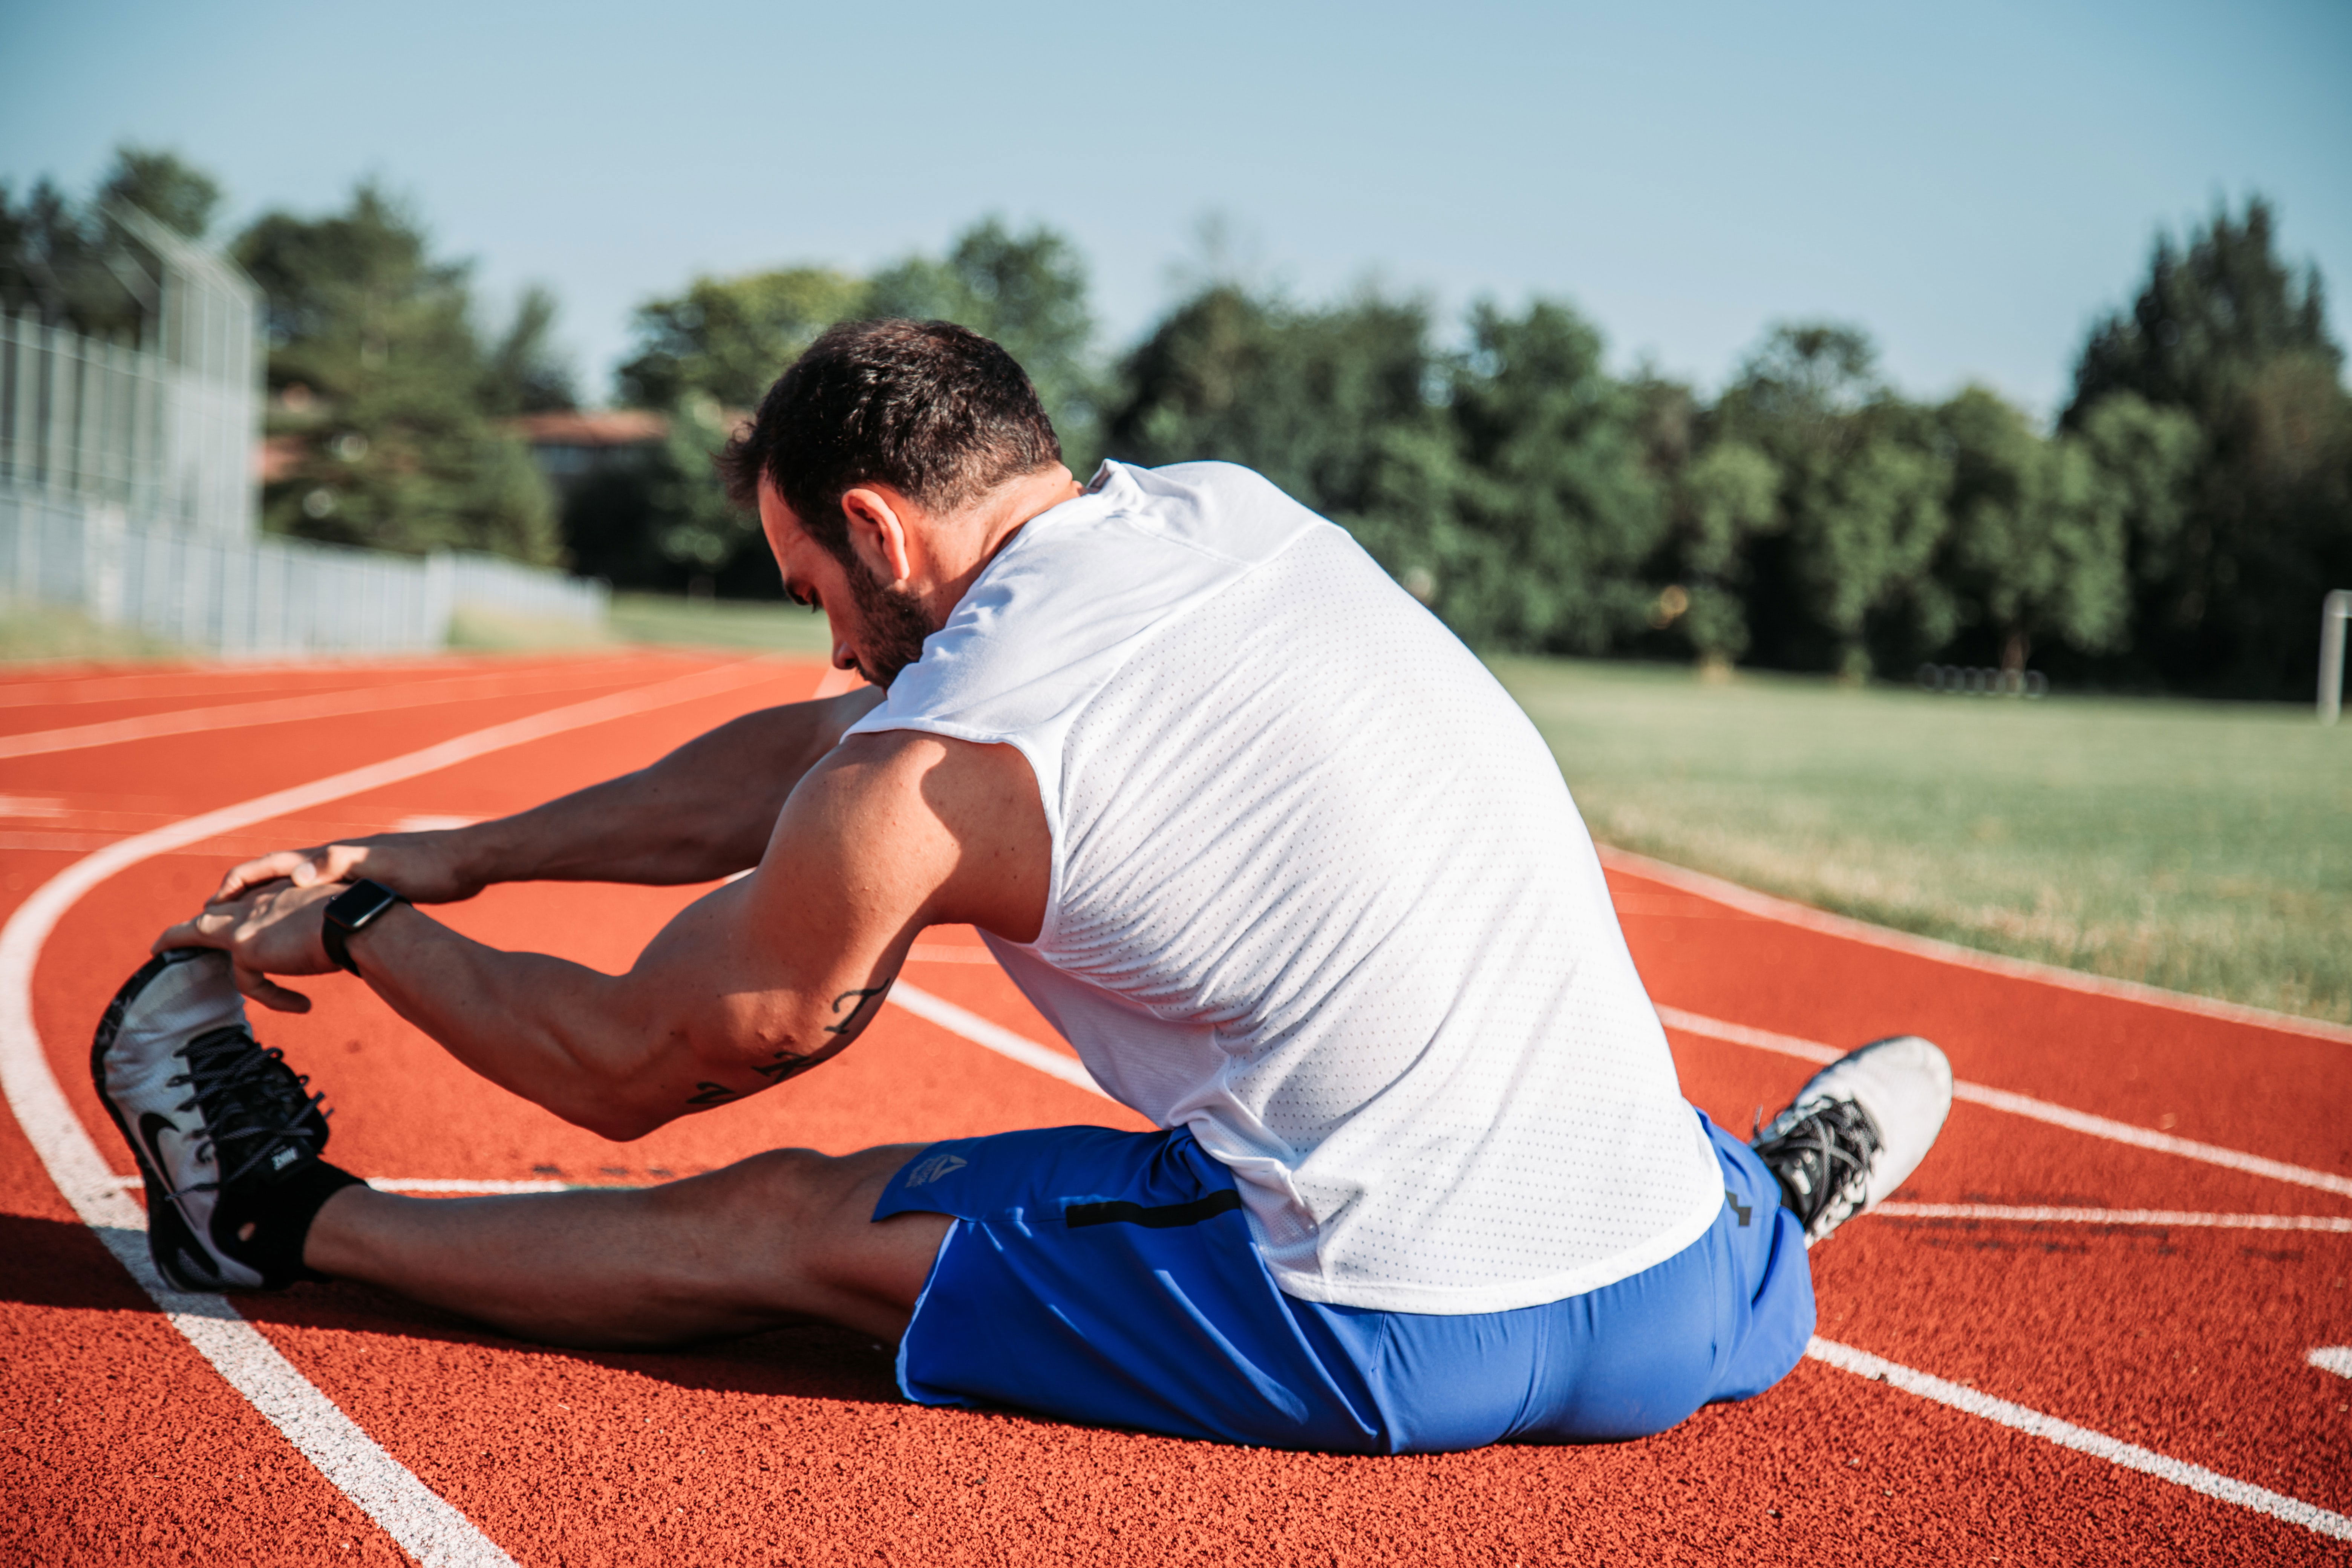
(380, 380)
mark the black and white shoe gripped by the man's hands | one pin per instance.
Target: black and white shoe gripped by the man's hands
(225, 1132)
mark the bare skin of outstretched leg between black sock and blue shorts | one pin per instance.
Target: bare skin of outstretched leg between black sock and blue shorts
(773, 1240)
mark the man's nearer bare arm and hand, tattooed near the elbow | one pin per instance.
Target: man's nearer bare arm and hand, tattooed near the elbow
(749, 986)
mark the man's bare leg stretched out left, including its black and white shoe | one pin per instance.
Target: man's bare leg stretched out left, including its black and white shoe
(241, 1198)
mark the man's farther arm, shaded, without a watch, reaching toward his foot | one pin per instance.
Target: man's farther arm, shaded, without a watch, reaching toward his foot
(702, 812)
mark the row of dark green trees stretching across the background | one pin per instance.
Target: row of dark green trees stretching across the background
(2172, 532)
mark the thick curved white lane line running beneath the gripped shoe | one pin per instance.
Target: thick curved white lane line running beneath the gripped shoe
(422, 1522)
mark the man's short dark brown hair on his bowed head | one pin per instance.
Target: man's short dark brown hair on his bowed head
(928, 408)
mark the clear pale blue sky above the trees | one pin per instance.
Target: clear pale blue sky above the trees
(1972, 185)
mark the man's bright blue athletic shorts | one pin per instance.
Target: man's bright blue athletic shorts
(1111, 1278)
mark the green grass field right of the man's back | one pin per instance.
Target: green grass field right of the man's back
(2193, 845)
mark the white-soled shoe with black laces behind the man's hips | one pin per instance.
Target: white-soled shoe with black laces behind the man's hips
(1857, 1132)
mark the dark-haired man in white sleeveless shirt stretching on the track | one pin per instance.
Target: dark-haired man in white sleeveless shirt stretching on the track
(1245, 824)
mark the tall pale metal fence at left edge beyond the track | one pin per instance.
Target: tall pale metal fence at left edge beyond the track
(128, 490)
